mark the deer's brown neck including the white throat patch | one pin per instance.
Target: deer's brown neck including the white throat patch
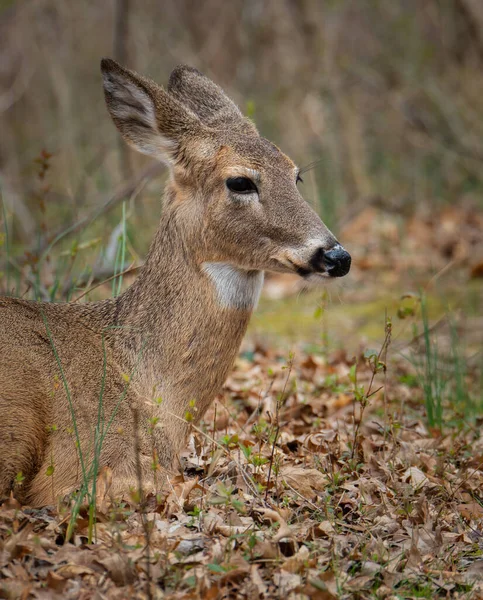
(185, 321)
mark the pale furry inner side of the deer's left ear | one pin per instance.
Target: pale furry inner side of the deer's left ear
(135, 115)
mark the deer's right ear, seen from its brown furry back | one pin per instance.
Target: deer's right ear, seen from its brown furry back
(206, 100)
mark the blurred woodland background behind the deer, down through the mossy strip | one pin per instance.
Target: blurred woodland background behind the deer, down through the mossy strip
(382, 101)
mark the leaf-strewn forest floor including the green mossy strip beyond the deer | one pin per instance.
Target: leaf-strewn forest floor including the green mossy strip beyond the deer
(344, 458)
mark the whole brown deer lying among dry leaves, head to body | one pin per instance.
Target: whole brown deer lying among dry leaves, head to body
(164, 347)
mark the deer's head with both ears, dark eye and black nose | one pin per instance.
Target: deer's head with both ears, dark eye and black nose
(232, 193)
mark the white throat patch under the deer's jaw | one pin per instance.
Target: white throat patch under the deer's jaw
(236, 288)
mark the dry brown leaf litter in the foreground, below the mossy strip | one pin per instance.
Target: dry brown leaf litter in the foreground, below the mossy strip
(385, 510)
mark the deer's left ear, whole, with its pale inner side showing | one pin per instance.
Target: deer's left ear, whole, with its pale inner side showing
(149, 119)
